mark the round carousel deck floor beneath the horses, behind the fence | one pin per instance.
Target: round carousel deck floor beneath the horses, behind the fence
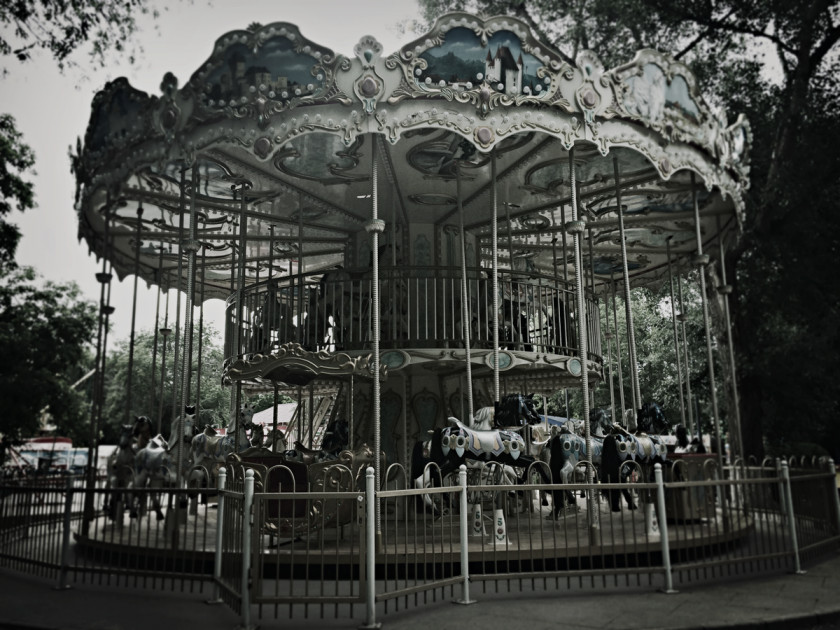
(417, 538)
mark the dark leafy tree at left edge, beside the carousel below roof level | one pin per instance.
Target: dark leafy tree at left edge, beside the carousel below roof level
(45, 332)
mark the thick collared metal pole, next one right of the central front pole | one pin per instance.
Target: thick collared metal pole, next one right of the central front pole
(576, 227)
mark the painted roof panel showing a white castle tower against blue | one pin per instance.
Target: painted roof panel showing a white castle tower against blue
(463, 61)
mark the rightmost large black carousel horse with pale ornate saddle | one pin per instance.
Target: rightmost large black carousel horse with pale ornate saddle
(645, 447)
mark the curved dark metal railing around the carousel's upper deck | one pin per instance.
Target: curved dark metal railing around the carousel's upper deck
(421, 308)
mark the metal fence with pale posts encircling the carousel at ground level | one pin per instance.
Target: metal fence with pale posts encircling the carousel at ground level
(273, 548)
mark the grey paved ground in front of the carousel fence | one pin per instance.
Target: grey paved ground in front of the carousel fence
(785, 601)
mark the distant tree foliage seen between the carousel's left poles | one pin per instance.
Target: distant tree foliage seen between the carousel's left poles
(214, 406)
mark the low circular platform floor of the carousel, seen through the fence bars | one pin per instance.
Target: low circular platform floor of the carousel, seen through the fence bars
(413, 541)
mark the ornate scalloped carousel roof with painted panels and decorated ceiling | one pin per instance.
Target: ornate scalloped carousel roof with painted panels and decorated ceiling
(293, 126)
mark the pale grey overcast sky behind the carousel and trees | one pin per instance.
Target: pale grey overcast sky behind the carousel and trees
(53, 109)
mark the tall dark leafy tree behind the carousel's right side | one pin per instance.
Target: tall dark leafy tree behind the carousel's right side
(785, 295)
